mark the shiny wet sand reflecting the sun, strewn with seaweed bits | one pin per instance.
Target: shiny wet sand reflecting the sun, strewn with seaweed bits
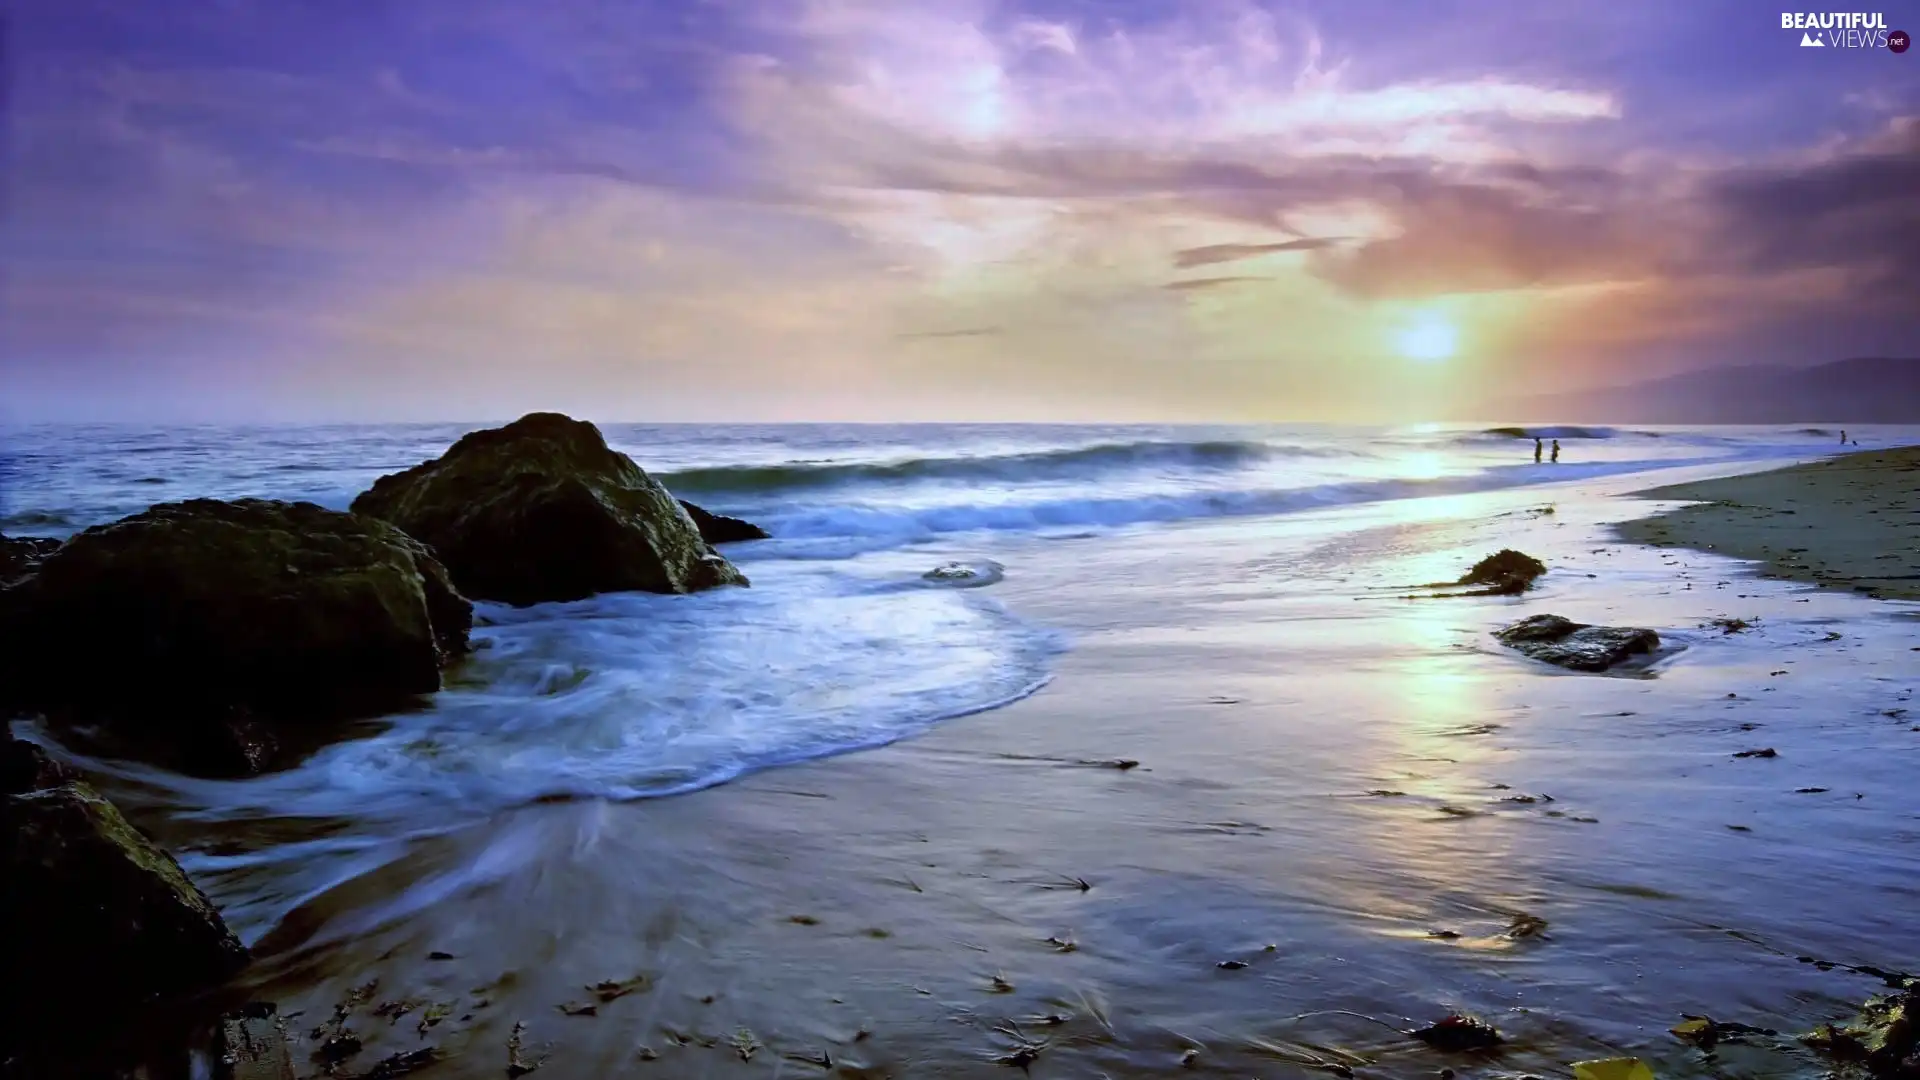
(1351, 816)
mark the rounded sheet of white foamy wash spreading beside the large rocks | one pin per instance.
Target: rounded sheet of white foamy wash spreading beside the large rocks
(633, 695)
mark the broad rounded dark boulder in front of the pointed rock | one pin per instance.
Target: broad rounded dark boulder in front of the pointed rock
(224, 622)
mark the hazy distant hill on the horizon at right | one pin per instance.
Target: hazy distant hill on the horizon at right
(1850, 391)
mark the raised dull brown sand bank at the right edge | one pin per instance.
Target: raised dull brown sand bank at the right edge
(1848, 522)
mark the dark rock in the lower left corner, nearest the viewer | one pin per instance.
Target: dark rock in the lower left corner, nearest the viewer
(99, 920)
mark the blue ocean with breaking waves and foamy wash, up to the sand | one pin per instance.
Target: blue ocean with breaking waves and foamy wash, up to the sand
(842, 643)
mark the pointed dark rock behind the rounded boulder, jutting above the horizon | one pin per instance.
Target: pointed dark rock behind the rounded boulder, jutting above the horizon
(544, 510)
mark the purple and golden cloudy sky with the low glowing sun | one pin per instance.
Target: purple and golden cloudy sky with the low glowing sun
(919, 210)
